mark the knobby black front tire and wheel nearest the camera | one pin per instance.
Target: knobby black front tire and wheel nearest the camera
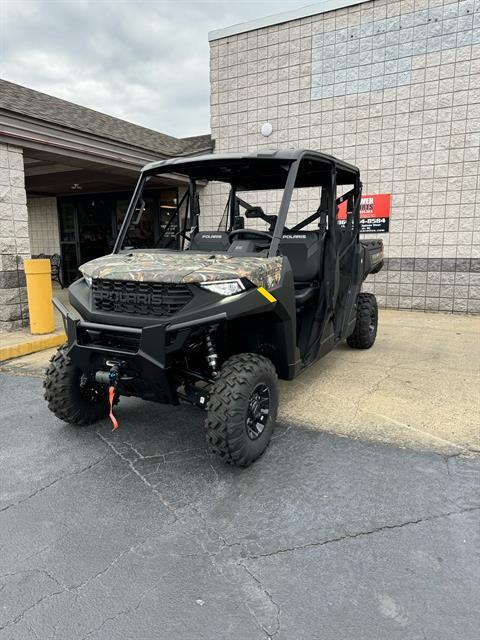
(242, 409)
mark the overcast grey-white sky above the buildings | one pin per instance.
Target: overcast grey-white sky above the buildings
(144, 61)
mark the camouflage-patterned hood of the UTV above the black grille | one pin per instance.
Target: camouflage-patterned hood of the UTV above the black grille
(184, 267)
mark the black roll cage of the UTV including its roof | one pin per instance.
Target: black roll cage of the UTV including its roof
(259, 171)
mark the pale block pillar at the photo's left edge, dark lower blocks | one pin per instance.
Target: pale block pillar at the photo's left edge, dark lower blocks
(14, 239)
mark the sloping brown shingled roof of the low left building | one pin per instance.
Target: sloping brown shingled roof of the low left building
(41, 106)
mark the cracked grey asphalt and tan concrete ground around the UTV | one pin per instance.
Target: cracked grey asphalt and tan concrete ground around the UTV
(360, 521)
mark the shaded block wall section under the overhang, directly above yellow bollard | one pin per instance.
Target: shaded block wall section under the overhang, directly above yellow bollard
(43, 225)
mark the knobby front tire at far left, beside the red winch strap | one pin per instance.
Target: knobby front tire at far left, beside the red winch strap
(70, 395)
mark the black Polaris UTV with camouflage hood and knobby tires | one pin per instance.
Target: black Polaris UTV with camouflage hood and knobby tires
(214, 317)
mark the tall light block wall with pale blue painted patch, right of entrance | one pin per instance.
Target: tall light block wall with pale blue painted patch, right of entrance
(392, 86)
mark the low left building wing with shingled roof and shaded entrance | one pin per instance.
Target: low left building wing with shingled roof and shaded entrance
(66, 176)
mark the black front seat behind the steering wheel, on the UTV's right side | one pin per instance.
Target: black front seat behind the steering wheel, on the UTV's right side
(303, 249)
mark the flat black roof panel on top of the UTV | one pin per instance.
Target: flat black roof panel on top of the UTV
(264, 169)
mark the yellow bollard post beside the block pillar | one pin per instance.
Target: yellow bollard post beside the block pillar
(39, 292)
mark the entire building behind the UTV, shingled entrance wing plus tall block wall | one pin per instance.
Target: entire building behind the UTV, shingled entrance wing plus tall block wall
(392, 86)
